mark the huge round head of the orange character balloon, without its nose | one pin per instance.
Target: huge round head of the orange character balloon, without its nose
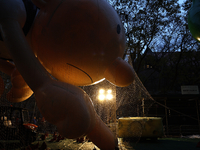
(77, 40)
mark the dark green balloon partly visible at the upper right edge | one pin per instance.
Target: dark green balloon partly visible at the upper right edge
(194, 19)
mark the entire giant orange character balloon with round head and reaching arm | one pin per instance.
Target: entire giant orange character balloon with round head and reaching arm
(78, 42)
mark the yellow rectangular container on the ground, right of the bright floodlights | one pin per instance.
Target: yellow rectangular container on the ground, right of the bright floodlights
(140, 127)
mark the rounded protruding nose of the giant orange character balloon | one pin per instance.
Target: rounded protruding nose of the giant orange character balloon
(120, 73)
